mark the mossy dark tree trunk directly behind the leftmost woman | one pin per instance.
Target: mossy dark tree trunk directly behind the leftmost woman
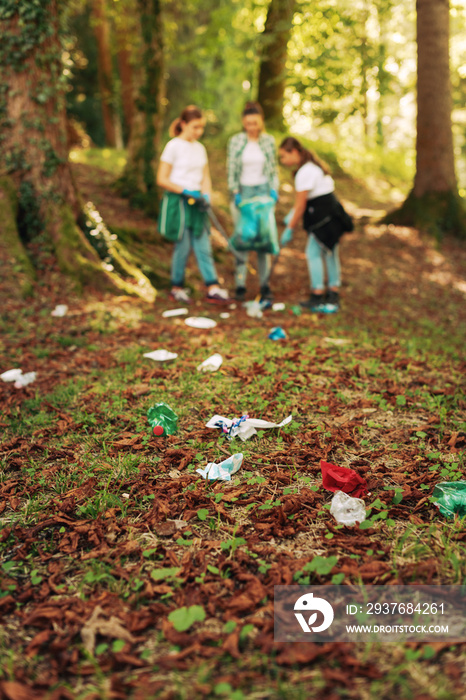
(138, 181)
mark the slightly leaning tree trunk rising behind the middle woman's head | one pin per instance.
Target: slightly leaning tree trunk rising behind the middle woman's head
(272, 72)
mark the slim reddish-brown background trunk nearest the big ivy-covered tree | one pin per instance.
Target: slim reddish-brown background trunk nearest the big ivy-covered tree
(104, 59)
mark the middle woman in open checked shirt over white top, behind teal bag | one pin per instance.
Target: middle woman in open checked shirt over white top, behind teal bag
(252, 172)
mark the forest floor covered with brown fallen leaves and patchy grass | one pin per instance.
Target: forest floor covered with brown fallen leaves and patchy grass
(125, 574)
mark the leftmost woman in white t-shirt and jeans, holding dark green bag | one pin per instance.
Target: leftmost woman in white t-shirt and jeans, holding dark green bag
(184, 175)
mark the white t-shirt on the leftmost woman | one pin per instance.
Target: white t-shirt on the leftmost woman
(188, 160)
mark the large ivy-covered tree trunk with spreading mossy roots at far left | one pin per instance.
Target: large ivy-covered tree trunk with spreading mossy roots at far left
(38, 199)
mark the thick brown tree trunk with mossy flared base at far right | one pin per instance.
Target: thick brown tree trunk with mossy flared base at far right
(434, 203)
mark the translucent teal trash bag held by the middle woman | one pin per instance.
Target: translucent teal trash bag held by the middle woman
(256, 228)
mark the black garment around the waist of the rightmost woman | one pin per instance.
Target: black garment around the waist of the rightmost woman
(326, 218)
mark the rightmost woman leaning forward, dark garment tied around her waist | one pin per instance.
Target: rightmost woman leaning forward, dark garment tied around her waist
(314, 204)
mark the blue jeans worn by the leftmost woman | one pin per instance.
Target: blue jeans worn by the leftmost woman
(202, 251)
